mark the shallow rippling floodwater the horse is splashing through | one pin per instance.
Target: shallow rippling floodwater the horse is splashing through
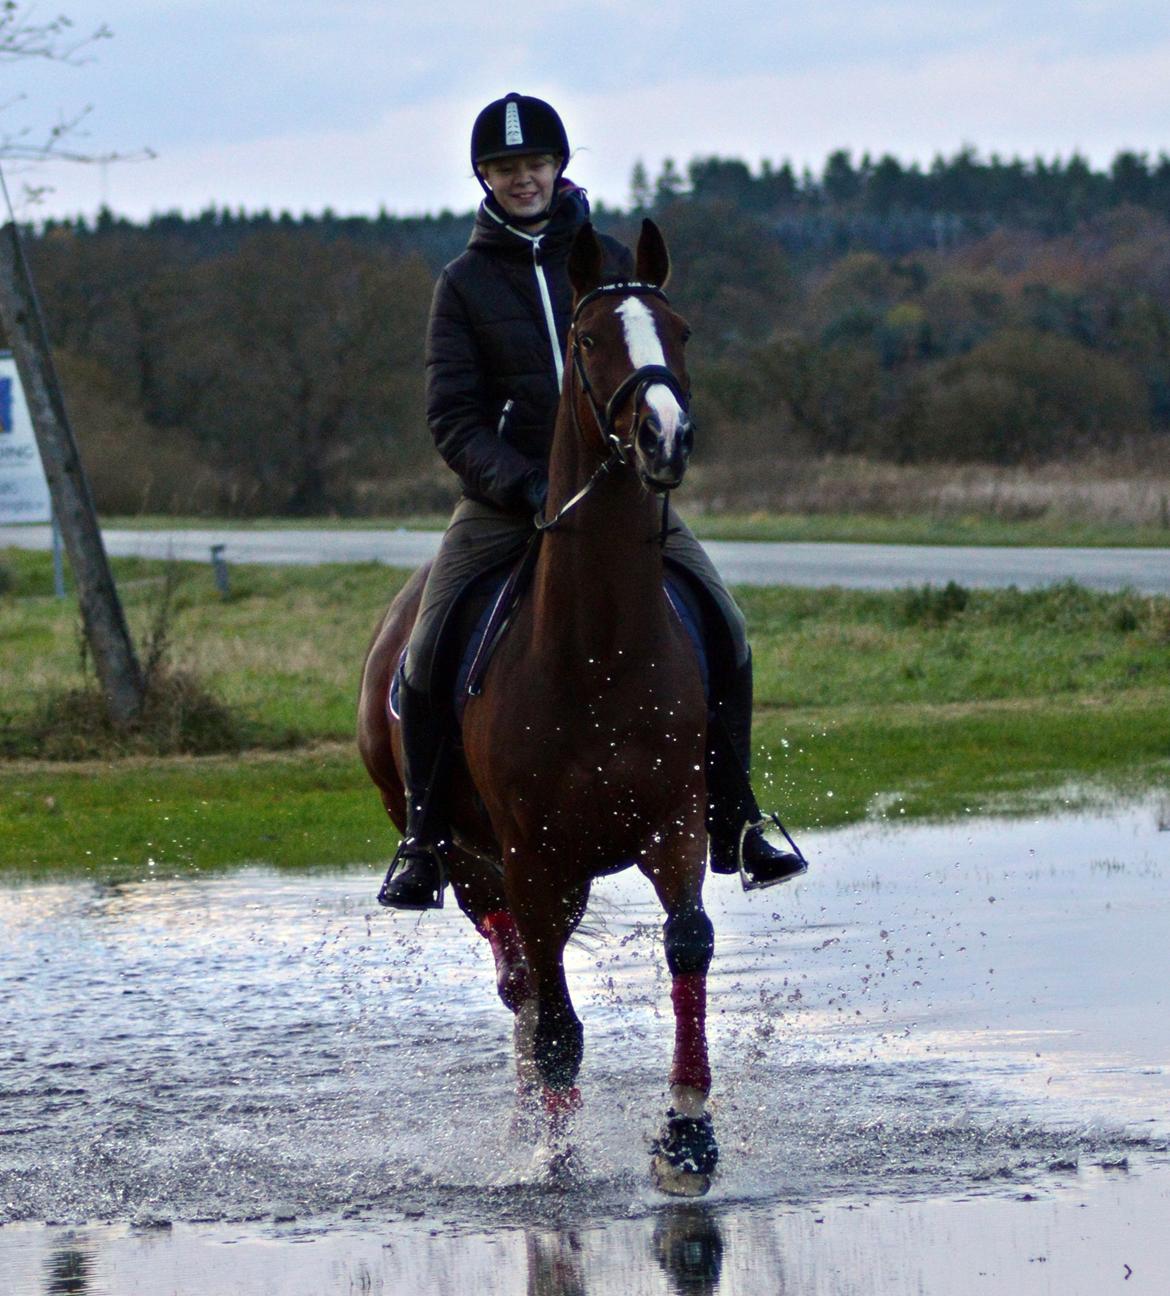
(943, 1062)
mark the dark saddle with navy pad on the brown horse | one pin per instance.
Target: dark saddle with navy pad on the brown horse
(483, 612)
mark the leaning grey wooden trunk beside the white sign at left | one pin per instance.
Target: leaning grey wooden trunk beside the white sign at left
(103, 618)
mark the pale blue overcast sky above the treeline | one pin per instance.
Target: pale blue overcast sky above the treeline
(365, 104)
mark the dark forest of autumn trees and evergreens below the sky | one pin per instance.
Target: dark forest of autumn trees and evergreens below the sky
(978, 310)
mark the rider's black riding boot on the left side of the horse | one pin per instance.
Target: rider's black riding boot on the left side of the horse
(417, 877)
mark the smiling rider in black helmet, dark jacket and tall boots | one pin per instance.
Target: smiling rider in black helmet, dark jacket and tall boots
(494, 362)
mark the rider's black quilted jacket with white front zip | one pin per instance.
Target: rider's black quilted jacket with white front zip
(492, 371)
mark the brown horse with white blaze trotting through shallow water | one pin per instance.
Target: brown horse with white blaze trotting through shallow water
(584, 747)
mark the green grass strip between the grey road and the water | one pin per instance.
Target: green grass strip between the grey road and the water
(914, 703)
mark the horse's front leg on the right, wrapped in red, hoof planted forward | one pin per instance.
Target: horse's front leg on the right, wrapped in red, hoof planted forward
(686, 1153)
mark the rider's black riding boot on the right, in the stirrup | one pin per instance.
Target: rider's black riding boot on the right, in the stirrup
(735, 822)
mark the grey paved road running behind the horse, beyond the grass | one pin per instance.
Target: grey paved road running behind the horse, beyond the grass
(861, 567)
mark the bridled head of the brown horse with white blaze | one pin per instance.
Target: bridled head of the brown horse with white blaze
(626, 351)
